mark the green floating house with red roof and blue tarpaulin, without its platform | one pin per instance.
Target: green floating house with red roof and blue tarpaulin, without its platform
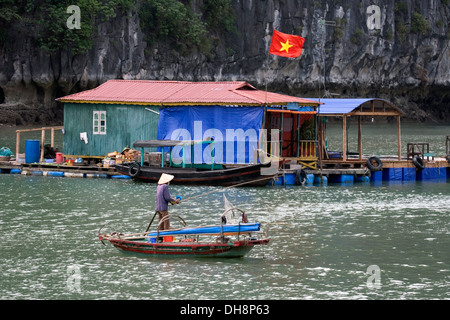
(237, 116)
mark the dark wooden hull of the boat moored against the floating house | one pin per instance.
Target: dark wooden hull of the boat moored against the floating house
(249, 175)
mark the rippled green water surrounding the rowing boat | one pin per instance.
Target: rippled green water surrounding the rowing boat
(323, 241)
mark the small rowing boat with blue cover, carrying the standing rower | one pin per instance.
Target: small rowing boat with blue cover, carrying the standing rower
(224, 240)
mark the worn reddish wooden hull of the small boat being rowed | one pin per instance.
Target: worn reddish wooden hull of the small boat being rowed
(234, 249)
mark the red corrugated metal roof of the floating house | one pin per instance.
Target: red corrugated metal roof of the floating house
(180, 92)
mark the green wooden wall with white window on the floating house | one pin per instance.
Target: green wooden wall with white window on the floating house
(125, 124)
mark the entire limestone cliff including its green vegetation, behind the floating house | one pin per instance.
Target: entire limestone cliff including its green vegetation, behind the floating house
(405, 58)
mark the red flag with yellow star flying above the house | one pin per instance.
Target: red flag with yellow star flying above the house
(286, 45)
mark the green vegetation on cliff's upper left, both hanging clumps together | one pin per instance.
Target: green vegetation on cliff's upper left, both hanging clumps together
(171, 21)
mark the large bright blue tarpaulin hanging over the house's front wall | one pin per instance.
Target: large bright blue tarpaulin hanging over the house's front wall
(235, 131)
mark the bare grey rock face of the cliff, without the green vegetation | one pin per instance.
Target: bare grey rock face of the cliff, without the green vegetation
(397, 50)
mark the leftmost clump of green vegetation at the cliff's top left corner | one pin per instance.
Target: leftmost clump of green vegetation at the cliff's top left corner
(46, 20)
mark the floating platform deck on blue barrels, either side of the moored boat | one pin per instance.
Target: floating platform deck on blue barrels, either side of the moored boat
(344, 173)
